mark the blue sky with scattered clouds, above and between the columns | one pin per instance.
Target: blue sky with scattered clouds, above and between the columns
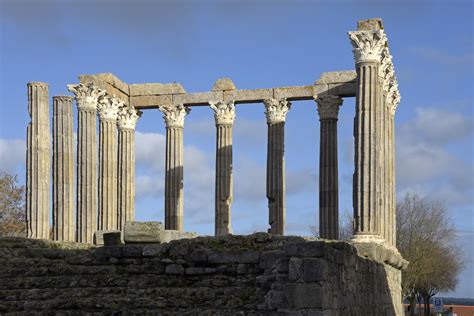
(257, 44)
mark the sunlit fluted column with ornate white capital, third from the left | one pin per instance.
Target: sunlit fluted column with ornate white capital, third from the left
(87, 96)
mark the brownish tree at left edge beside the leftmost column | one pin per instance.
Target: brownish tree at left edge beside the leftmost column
(12, 206)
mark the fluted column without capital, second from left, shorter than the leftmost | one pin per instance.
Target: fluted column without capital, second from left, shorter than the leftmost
(63, 169)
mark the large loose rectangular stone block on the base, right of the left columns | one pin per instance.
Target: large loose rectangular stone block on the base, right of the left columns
(143, 232)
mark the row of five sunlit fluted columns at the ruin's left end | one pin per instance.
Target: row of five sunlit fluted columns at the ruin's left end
(105, 187)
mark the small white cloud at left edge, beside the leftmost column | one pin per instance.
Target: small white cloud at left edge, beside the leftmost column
(12, 155)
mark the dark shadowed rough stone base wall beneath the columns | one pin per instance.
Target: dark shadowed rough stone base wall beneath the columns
(258, 274)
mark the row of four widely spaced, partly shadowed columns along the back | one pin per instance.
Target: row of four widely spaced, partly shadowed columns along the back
(224, 114)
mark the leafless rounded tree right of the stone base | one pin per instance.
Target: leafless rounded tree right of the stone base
(427, 239)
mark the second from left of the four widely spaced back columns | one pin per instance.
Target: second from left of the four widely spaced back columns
(224, 114)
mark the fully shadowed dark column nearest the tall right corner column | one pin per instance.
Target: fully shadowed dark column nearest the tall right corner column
(328, 109)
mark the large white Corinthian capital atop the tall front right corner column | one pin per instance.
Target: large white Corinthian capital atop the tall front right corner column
(368, 45)
